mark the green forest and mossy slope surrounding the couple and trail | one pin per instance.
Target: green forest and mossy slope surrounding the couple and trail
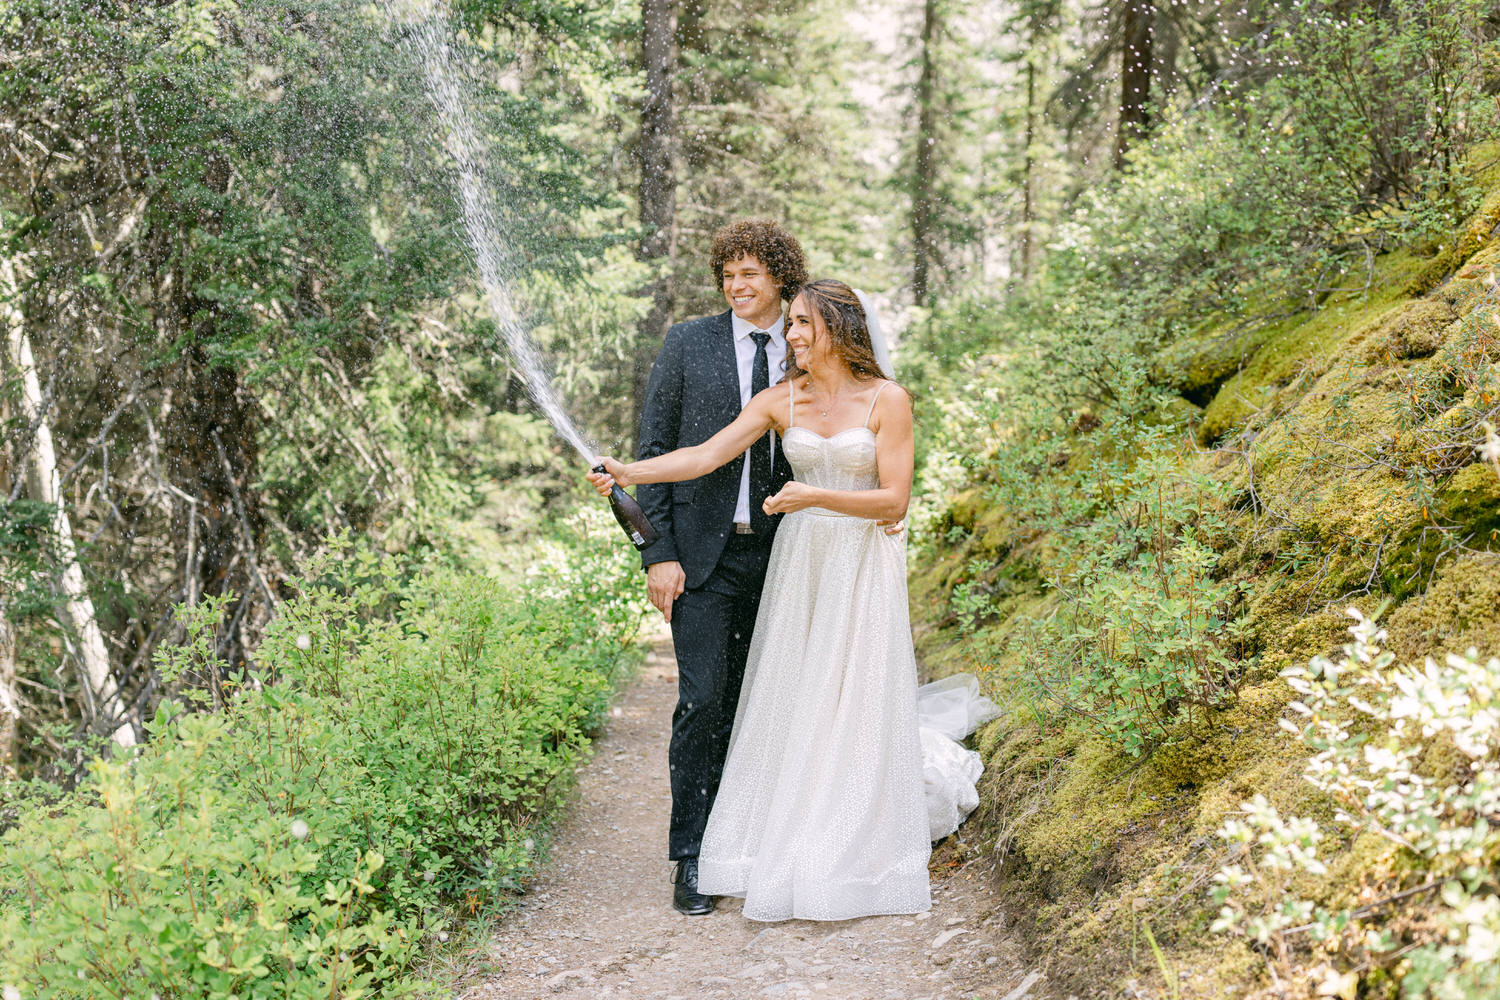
(308, 617)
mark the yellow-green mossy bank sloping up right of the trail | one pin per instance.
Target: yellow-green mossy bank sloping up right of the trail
(1096, 845)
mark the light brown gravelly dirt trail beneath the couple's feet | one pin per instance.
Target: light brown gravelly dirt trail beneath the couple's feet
(599, 923)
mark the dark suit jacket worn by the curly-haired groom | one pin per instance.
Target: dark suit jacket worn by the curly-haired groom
(694, 395)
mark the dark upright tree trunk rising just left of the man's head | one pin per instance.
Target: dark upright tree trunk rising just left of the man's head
(658, 184)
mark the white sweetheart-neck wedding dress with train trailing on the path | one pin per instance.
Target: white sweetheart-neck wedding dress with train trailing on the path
(823, 812)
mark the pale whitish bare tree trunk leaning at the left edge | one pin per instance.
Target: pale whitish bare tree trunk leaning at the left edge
(101, 695)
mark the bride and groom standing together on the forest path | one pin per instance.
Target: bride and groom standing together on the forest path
(805, 794)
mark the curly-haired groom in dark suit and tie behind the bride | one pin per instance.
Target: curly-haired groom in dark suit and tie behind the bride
(706, 572)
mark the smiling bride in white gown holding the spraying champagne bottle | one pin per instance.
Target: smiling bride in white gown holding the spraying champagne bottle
(821, 812)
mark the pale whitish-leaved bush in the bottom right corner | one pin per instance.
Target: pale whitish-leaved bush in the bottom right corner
(1409, 756)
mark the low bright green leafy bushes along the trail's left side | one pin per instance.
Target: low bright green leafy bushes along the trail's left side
(302, 842)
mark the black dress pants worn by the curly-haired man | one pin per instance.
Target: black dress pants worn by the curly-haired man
(712, 638)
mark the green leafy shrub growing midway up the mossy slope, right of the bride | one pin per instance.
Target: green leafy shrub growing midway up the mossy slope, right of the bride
(1142, 629)
